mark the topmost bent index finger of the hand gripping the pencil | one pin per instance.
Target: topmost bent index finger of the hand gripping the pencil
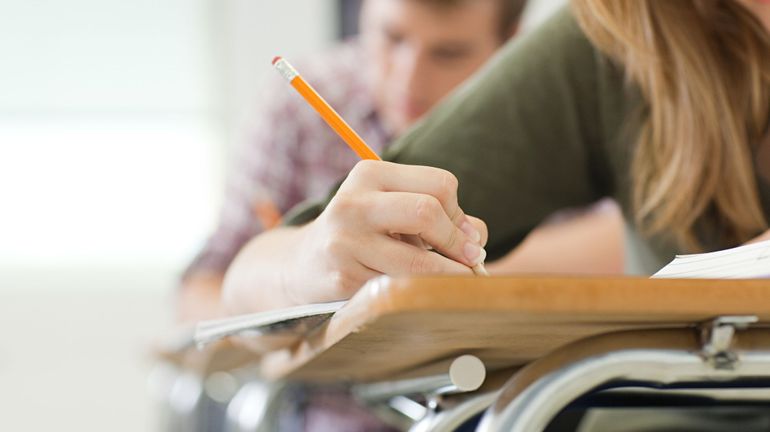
(390, 177)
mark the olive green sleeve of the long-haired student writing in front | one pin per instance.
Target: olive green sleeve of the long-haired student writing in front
(519, 135)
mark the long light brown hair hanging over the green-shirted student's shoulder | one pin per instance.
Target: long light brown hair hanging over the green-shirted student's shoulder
(703, 67)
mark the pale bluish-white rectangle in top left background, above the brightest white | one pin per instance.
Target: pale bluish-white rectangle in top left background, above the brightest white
(104, 56)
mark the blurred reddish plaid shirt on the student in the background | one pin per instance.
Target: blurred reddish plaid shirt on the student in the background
(291, 154)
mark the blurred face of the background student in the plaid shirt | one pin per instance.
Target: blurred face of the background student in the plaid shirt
(419, 52)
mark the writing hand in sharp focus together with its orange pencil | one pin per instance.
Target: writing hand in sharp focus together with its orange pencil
(383, 203)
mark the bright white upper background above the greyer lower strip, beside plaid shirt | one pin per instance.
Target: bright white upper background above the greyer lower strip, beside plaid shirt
(115, 118)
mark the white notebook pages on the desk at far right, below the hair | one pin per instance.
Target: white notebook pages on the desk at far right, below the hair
(743, 262)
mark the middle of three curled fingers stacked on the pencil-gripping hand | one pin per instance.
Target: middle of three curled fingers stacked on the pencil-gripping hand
(424, 216)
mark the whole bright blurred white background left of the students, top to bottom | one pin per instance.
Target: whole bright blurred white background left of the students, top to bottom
(116, 124)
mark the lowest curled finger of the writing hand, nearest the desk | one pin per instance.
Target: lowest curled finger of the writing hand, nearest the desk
(393, 257)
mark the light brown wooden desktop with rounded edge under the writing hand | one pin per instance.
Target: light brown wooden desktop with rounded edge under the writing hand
(393, 326)
